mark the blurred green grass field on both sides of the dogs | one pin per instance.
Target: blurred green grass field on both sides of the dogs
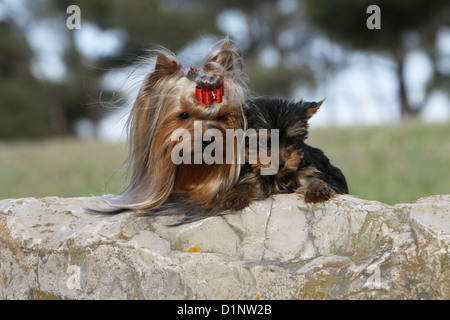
(391, 164)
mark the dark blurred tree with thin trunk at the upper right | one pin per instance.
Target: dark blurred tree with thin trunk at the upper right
(344, 21)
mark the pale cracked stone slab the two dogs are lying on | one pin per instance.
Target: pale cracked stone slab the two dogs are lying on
(280, 248)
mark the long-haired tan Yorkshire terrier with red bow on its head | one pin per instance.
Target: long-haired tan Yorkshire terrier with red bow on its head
(176, 99)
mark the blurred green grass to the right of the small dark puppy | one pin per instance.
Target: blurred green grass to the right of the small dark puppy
(391, 164)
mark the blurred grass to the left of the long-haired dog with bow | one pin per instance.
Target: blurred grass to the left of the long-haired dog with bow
(65, 168)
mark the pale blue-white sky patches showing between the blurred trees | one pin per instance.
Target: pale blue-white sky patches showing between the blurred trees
(364, 93)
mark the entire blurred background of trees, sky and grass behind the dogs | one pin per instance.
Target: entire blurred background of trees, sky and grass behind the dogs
(385, 123)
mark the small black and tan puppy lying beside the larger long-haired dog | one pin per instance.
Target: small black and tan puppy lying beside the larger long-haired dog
(300, 168)
